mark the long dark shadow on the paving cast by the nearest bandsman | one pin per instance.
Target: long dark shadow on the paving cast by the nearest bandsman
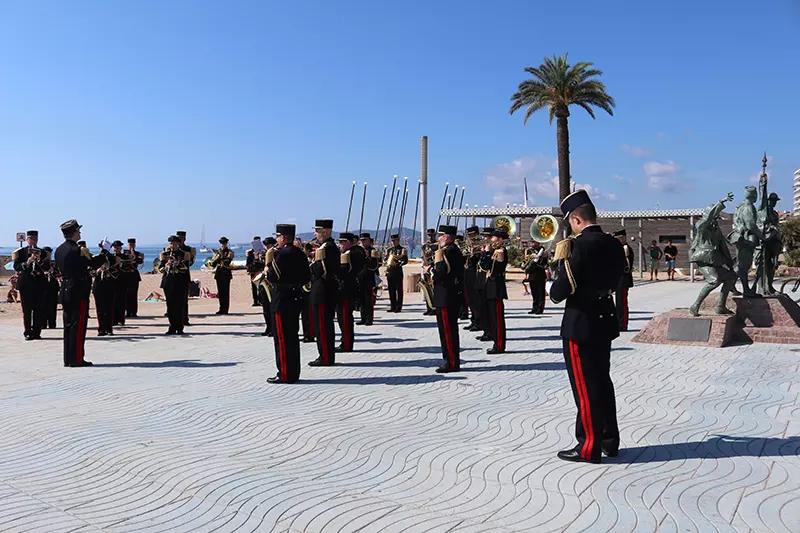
(716, 447)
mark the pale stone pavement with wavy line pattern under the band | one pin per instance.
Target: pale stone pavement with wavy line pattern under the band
(183, 434)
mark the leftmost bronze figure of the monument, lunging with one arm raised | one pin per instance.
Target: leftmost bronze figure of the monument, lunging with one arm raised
(710, 253)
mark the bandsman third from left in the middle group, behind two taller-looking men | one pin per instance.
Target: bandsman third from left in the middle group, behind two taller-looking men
(351, 264)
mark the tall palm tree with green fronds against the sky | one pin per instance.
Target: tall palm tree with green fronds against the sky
(557, 85)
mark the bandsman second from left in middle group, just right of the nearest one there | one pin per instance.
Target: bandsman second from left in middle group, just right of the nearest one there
(324, 291)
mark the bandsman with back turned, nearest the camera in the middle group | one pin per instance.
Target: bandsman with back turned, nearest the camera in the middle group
(288, 273)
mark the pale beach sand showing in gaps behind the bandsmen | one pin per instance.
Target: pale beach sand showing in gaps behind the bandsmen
(241, 298)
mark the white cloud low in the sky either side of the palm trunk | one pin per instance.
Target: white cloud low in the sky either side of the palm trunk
(506, 182)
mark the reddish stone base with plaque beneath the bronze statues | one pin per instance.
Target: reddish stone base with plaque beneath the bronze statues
(771, 319)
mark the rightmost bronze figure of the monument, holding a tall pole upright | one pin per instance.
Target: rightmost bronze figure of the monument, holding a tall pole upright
(771, 246)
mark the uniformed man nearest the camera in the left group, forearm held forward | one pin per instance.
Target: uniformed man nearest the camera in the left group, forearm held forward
(74, 262)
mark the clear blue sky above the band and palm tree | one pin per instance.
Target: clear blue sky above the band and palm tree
(141, 118)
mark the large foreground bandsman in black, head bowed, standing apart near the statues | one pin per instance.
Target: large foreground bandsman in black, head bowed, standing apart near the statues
(591, 264)
